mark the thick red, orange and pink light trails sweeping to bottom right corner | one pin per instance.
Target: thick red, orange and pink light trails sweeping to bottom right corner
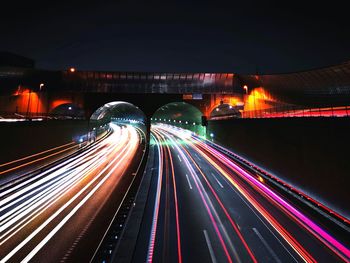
(219, 160)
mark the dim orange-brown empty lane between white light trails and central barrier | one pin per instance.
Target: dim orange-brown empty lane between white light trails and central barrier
(78, 238)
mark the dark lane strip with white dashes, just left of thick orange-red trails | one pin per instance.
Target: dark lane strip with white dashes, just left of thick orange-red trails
(262, 239)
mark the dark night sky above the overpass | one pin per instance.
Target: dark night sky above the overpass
(205, 36)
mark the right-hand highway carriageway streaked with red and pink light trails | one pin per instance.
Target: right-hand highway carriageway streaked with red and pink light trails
(202, 207)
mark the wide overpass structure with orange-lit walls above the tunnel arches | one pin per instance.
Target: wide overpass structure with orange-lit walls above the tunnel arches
(29, 91)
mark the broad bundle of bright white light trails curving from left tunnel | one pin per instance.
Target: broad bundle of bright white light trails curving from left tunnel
(57, 194)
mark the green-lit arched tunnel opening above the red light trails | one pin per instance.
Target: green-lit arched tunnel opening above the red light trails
(180, 114)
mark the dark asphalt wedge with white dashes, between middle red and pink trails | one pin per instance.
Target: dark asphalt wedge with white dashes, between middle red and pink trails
(198, 238)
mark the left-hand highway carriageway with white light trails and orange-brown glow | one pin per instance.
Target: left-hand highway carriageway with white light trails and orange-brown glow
(62, 213)
